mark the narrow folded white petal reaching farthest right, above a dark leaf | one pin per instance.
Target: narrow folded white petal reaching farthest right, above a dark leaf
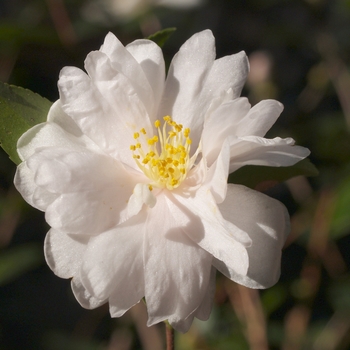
(260, 151)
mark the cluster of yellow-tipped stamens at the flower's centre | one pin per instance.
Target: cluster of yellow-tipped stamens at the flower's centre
(166, 161)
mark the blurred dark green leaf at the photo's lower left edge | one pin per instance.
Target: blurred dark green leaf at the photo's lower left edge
(16, 261)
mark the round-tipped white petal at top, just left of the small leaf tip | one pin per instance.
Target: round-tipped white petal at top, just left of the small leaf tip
(150, 57)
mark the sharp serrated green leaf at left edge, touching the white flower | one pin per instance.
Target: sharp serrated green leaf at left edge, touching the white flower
(20, 109)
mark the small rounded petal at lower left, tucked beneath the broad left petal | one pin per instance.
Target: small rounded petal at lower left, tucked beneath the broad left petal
(63, 253)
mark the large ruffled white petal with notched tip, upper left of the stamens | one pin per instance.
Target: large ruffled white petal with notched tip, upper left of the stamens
(105, 107)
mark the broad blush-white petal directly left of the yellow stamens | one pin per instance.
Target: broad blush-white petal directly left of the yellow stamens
(93, 189)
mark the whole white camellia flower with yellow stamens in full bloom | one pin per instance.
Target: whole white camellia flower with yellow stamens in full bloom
(131, 170)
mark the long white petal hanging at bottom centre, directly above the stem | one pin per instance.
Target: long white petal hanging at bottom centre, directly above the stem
(177, 270)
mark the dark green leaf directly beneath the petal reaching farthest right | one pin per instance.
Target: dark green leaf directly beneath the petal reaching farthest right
(252, 175)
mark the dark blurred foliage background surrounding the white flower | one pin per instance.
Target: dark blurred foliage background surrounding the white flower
(299, 53)
